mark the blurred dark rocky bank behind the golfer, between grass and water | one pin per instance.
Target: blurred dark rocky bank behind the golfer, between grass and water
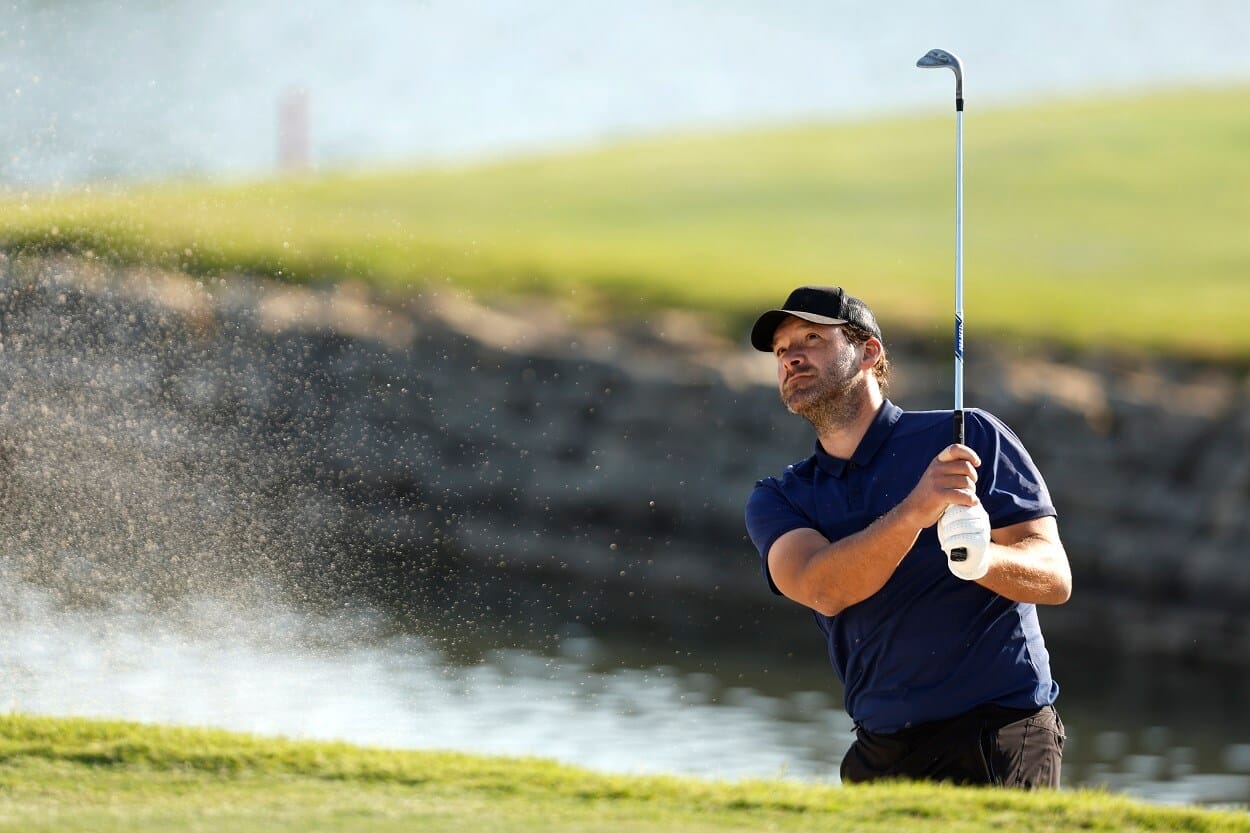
(512, 471)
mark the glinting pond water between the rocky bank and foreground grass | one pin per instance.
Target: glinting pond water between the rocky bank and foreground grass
(1167, 735)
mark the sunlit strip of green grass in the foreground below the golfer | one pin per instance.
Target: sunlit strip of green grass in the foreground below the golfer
(72, 775)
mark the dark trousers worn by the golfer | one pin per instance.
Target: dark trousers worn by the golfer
(991, 745)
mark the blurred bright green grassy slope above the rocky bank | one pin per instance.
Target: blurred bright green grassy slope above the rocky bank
(1097, 223)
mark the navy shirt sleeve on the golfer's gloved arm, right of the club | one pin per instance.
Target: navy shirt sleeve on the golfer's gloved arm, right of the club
(1008, 483)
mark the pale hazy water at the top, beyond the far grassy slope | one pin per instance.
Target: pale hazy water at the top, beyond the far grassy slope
(134, 89)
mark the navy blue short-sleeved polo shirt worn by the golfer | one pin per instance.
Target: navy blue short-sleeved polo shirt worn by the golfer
(927, 646)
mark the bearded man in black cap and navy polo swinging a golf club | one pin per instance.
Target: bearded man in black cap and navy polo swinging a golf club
(944, 666)
